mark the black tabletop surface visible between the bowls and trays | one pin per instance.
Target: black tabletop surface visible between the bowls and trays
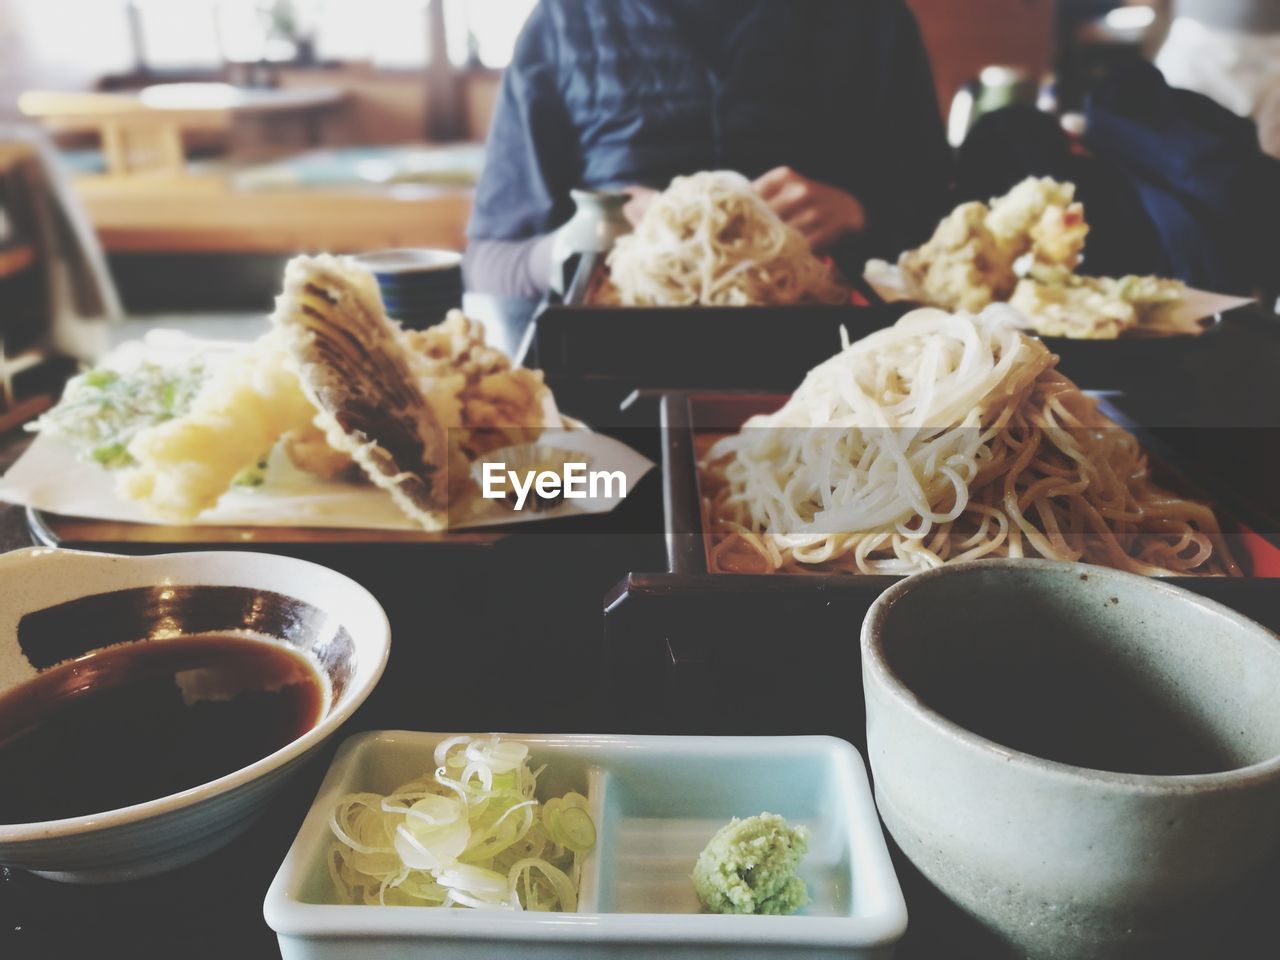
(527, 615)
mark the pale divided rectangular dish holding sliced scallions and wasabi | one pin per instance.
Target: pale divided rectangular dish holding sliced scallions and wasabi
(656, 803)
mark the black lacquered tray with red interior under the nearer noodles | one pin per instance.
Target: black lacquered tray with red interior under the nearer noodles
(684, 648)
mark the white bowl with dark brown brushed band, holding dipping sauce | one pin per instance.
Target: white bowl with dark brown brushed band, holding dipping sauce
(61, 607)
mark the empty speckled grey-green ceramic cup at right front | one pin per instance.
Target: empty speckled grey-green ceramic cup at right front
(1086, 761)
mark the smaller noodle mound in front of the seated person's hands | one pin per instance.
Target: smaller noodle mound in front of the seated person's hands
(710, 239)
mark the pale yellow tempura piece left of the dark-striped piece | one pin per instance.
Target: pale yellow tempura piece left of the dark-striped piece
(188, 464)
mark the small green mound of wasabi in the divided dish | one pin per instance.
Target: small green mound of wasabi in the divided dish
(749, 867)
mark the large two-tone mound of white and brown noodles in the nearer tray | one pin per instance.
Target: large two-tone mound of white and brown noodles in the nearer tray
(945, 438)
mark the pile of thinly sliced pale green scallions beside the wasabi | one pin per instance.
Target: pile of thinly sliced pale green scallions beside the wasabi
(472, 834)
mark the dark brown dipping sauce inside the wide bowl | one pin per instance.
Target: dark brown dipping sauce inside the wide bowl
(141, 721)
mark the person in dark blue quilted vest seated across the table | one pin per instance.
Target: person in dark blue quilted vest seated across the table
(829, 106)
